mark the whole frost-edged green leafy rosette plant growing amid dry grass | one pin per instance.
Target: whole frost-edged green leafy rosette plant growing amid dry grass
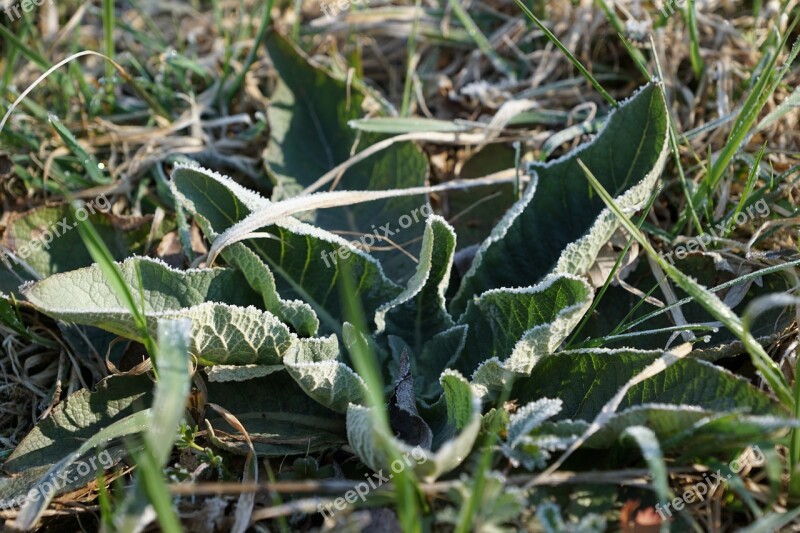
(275, 346)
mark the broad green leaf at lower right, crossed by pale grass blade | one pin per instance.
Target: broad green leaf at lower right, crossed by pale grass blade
(676, 403)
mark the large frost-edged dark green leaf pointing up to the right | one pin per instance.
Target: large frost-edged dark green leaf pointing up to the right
(558, 225)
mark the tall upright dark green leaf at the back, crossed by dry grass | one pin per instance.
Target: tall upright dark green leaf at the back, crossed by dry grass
(309, 136)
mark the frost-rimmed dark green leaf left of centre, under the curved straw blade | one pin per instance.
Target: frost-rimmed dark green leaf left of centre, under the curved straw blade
(303, 258)
